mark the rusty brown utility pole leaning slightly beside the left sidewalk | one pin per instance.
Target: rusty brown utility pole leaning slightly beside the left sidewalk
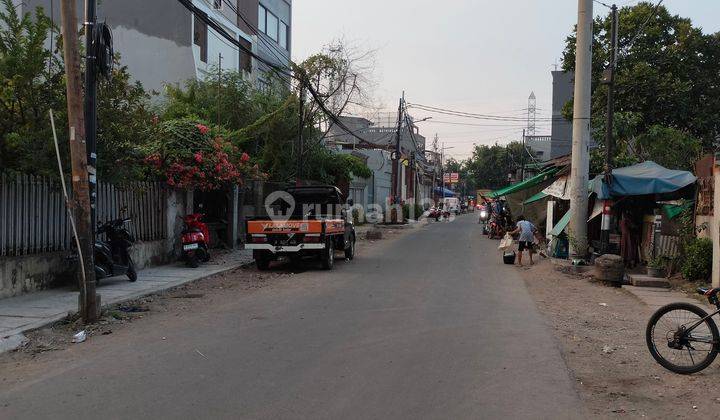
(79, 153)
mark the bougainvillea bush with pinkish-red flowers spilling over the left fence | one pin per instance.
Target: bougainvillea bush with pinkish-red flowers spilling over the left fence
(188, 154)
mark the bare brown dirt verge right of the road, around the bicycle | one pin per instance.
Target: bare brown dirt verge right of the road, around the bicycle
(602, 334)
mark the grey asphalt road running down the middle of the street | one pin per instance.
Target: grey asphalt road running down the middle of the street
(429, 325)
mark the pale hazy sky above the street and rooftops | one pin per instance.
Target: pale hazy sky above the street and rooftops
(480, 56)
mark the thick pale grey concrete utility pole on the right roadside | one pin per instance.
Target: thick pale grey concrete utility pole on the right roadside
(581, 131)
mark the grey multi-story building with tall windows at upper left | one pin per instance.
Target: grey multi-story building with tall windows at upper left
(161, 41)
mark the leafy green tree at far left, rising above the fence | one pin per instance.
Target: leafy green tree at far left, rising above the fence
(31, 83)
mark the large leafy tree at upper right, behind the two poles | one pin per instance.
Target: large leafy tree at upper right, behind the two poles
(666, 76)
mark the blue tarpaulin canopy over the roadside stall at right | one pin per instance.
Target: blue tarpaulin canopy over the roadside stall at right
(641, 179)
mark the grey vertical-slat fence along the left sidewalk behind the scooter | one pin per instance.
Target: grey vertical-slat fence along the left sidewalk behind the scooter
(34, 220)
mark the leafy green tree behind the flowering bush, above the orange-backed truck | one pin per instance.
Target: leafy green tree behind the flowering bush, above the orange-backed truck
(265, 124)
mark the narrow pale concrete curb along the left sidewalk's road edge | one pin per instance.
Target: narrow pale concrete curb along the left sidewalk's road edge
(16, 338)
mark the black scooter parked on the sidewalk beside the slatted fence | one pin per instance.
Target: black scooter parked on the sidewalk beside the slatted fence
(112, 255)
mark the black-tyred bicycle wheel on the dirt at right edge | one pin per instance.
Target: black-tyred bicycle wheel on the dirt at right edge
(676, 349)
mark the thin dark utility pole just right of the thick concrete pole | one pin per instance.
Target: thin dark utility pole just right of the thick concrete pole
(609, 80)
